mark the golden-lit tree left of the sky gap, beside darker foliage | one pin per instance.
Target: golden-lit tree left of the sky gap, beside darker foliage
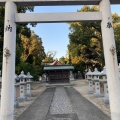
(33, 50)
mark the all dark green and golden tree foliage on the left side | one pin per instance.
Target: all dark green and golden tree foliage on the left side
(29, 49)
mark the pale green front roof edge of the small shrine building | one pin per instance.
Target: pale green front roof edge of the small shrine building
(59, 67)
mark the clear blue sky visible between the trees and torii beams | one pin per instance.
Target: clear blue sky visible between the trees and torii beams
(55, 35)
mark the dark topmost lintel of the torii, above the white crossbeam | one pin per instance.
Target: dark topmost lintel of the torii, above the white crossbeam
(56, 2)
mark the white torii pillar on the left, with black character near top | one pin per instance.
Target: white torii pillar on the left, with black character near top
(8, 74)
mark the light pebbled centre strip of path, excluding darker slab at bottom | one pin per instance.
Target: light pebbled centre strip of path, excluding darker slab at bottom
(61, 103)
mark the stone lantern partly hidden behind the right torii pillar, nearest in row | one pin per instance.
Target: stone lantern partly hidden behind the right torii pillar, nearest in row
(104, 81)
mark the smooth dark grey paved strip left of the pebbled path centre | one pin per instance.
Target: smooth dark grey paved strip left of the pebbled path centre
(39, 108)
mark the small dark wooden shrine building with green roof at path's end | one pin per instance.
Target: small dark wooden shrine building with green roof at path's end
(57, 72)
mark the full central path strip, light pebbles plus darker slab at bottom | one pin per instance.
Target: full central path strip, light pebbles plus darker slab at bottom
(61, 107)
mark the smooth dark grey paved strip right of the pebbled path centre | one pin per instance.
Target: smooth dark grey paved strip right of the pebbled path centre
(84, 108)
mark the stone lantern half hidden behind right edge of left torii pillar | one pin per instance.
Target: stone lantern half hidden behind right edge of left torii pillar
(16, 103)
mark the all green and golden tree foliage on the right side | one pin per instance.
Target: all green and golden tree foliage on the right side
(85, 46)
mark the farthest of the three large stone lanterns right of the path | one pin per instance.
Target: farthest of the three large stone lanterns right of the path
(90, 82)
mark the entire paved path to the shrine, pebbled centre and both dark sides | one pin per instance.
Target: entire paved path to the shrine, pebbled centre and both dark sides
(62, 103)
